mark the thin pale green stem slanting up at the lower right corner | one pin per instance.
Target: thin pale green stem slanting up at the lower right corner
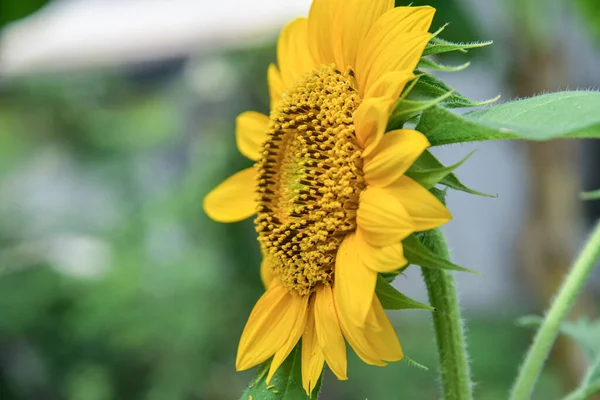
(545, 337)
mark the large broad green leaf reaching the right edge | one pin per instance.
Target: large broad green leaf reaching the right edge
(545, 117)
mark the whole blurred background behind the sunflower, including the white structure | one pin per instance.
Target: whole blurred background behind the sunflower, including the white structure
(116, 118)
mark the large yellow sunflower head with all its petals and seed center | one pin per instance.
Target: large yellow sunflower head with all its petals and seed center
(328, 187)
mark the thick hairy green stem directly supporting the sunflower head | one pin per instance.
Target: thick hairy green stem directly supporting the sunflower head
(452, 350)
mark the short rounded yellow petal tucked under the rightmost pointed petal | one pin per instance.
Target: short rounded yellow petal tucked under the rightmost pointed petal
(382, 218)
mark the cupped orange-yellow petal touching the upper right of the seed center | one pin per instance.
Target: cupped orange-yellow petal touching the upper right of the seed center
(370, 121)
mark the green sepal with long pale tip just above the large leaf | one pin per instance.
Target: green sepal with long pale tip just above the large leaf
(430, 87)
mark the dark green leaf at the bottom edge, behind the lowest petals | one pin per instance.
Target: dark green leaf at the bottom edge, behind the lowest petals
(286, 384)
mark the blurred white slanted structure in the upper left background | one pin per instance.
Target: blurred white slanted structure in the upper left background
(75, 34)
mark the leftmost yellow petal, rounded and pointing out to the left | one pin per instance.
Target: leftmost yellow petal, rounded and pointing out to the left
(234, 199)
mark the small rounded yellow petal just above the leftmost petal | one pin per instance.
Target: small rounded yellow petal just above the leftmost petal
(251, 133)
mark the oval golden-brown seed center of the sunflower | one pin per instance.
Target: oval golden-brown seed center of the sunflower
(310, 178)
